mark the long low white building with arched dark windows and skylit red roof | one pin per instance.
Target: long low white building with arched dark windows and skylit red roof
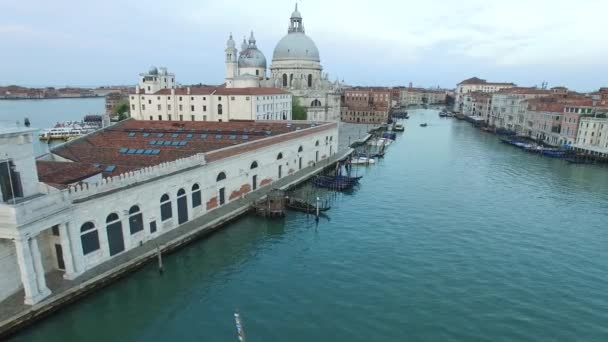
(98, 196)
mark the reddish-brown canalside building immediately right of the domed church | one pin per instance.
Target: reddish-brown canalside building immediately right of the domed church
(367, 105)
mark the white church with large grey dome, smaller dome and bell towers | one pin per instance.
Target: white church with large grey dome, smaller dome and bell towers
(296, 67)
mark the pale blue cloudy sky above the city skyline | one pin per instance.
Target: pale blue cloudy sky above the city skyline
(382, 42)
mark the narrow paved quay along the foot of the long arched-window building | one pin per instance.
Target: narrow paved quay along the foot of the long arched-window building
(14, 315)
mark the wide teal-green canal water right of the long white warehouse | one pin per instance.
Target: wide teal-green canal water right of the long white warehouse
(453, 236)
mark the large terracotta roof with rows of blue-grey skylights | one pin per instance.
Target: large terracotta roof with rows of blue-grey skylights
(128, 144)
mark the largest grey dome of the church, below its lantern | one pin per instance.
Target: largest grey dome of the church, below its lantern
(296, 46)
